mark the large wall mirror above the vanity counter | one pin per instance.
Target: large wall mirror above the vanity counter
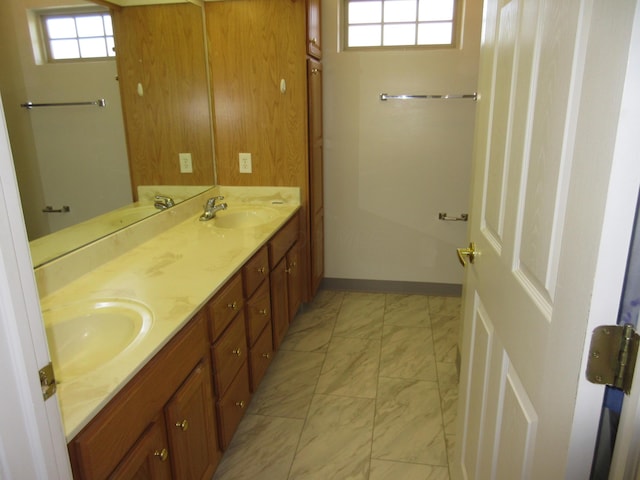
(87, 170)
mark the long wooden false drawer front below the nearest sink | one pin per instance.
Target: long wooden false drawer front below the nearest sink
(101, 445)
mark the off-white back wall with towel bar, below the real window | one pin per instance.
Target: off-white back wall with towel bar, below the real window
(391, 167)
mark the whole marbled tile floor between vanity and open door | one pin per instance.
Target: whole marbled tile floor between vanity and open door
(364, 386)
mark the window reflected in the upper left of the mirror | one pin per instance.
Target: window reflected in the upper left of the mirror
(76, 36)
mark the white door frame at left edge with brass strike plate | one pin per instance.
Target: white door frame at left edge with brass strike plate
(32, 442)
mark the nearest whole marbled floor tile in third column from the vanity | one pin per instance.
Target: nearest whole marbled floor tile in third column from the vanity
(408, 423)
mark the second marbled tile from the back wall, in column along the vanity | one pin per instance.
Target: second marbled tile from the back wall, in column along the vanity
(310, 331)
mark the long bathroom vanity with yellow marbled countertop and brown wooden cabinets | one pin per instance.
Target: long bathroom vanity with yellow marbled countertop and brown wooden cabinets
(221, 296)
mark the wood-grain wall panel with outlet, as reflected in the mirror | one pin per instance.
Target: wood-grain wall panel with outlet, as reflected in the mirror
(162, 47)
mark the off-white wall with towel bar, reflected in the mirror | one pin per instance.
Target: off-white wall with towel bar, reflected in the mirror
(72, 156)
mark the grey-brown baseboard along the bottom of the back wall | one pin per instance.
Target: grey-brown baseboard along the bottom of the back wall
(391, 286)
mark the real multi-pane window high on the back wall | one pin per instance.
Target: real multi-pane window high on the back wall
(394, 23)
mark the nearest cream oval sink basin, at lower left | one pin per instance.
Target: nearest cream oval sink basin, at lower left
(86, 335)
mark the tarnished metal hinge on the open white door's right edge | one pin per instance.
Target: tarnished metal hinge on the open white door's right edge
(612, 356)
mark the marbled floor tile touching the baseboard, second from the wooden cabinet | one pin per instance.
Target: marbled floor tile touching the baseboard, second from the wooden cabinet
(360, 315)
